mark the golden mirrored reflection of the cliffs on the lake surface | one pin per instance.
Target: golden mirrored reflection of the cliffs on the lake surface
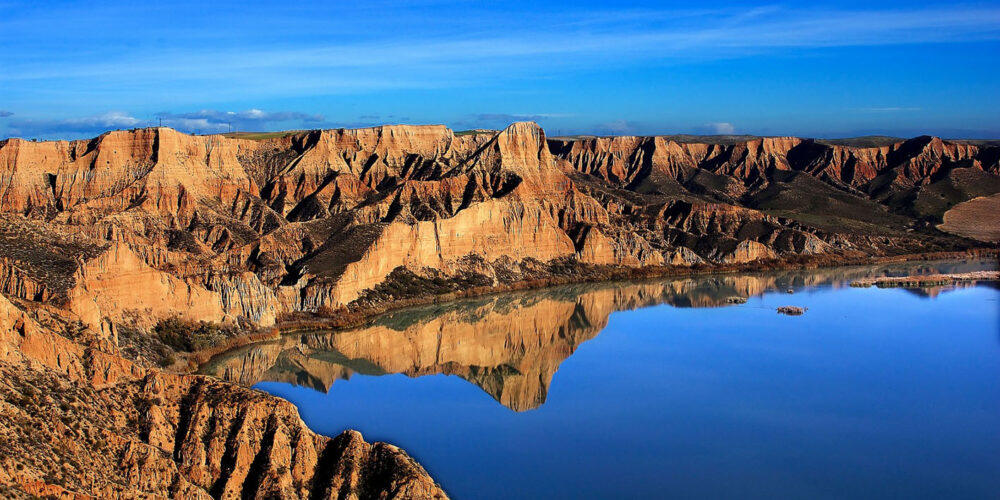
(509, 345)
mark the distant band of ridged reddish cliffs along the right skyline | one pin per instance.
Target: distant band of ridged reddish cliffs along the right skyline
(629, 160)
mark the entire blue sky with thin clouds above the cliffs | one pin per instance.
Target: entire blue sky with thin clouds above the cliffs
(833, 69)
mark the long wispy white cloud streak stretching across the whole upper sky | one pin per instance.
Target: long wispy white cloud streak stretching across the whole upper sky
(463, 56)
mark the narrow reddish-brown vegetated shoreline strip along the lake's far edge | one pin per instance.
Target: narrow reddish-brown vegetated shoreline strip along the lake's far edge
(347, 317)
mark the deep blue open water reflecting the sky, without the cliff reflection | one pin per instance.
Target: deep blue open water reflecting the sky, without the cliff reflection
(873, 393)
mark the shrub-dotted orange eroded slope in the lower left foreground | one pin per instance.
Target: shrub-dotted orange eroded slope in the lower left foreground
(79, 421)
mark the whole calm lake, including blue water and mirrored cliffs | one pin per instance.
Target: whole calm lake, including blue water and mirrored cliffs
(668, 389)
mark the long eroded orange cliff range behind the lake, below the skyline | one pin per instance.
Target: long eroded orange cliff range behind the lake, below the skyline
(222, 229)
